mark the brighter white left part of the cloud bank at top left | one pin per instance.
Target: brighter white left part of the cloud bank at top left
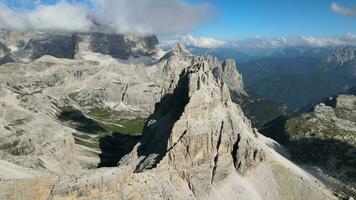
(59, 17)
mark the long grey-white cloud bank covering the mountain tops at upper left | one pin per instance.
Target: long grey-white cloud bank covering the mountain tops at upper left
(142, 17)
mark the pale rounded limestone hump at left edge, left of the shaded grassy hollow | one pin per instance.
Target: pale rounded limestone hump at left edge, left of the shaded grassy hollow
(34, 139)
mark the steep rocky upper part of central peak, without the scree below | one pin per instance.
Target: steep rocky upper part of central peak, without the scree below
(199, 132)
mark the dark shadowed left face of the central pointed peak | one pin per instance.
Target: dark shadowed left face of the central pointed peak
(159, 125)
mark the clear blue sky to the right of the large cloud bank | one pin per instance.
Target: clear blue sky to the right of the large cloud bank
(274, 18)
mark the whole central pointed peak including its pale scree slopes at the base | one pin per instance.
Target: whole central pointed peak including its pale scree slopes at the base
(197, 145)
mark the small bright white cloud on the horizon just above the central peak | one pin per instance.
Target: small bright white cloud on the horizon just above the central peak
(189, 40)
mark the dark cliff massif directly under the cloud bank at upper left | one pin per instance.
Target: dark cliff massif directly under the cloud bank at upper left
(29, 46)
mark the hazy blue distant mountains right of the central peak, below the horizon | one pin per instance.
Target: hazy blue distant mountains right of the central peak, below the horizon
(297, 82)
